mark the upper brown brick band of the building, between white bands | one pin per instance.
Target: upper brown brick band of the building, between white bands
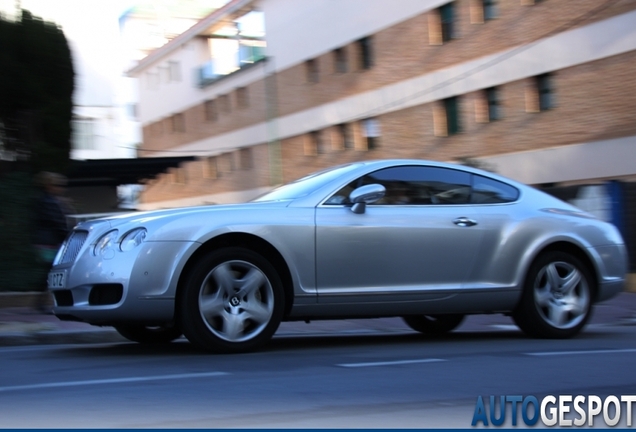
(400, 52)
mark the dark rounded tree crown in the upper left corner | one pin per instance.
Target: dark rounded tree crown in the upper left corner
(36, 90)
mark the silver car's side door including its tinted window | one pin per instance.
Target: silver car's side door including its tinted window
(420, 238)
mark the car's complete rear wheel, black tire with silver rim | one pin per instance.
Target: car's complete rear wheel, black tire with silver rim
(556, 302)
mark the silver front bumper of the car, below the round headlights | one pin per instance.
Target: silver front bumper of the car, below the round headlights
(134, 286)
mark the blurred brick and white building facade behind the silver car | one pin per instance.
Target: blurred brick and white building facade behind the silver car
(541, 91)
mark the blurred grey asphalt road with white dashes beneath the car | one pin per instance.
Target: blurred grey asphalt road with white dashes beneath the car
(345, 379)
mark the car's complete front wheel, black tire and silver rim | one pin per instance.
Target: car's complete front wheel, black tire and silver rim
(232, 301)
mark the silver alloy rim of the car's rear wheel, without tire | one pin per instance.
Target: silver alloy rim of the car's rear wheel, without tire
(561, 294)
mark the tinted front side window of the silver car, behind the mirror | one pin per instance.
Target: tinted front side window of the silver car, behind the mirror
(413, 185)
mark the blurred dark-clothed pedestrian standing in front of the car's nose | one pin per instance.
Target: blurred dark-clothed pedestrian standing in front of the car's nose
(51, 227)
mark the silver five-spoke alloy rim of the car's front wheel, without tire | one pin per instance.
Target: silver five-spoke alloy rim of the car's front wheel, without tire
(236, 301)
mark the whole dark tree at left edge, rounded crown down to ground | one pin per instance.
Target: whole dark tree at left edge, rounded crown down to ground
(36, 106)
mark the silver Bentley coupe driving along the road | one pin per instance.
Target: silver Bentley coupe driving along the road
(426, 241)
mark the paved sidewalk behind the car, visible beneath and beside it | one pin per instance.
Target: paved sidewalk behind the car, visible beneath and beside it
(22, 325)
